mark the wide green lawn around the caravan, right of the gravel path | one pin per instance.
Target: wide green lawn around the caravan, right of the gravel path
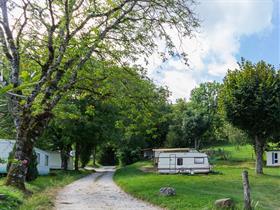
(200, 191)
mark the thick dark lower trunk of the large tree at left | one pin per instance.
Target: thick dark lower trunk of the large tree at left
(17, 173)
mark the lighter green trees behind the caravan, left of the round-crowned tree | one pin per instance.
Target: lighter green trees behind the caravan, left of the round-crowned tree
(197, 122)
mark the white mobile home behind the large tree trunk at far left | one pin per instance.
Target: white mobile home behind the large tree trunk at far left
(6, 146)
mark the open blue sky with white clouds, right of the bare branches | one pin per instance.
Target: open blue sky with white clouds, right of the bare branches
(230, 29)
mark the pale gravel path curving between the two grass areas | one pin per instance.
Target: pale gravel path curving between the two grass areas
(98, 191)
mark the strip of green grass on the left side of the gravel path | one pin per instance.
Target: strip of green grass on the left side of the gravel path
(44, 190)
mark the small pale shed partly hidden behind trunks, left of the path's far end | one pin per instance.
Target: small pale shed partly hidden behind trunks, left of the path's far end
(56, 163)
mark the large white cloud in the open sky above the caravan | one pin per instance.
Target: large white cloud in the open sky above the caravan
(213, 50)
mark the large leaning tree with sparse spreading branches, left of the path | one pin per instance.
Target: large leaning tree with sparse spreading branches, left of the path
(48, 42)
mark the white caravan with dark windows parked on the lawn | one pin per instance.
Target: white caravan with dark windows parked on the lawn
(181, 160)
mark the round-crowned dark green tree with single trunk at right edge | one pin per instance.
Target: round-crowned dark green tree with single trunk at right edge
(250, 99)
